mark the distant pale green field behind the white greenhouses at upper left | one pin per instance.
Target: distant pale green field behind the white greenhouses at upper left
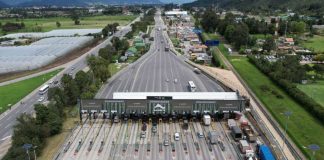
(48, 24)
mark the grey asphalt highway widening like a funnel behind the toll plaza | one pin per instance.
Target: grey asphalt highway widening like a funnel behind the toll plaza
(158, 71)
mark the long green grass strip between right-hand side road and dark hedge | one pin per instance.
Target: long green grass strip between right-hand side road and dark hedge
(303, 128)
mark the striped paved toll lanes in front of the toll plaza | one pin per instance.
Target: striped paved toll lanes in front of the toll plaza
(102, 139)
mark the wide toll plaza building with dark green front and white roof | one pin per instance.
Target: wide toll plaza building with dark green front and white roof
(165, 104)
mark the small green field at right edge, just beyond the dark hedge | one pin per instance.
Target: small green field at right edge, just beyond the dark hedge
(314, 90)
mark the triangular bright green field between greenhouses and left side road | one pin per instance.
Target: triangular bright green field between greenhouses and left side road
(13, 93)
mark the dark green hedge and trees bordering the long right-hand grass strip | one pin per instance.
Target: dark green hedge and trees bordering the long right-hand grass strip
(286, 72)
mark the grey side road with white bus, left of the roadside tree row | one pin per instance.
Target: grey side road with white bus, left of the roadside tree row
(8, 119)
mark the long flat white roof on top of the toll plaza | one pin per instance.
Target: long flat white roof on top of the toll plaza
(179, 95)
